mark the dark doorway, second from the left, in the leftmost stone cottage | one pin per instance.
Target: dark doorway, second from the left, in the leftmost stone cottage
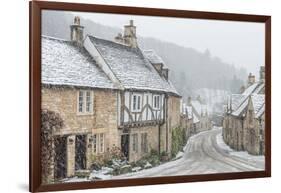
(80, 152)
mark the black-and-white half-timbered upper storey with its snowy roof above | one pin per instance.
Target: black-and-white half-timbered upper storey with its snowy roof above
(144, 92)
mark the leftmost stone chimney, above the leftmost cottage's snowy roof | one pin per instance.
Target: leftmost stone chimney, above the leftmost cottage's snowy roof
(76, 32)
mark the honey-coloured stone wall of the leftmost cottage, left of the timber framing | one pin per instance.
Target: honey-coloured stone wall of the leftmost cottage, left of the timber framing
(102, 120)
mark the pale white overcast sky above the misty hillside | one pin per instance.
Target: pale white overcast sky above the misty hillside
(238, 43)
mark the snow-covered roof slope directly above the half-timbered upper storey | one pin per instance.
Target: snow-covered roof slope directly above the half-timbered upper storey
(131, 67)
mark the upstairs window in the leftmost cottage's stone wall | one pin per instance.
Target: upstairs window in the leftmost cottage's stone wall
(85, 102)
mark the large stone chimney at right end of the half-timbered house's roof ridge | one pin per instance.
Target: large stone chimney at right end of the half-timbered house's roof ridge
(130, 37)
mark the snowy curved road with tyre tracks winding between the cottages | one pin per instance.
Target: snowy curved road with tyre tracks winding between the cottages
(204, 153)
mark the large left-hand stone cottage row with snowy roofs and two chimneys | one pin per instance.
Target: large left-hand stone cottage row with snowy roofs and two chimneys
(109, 94)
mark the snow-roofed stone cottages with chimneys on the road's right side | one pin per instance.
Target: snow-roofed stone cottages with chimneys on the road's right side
(243, 124)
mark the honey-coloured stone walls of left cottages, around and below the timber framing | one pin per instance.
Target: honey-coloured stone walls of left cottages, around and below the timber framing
(103, 121)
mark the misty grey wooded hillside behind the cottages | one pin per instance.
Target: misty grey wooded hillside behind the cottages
(189, 69)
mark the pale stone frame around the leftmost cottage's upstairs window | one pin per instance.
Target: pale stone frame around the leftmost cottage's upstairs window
(84, 111)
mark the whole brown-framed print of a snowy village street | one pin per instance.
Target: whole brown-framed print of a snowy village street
(123, 96)
